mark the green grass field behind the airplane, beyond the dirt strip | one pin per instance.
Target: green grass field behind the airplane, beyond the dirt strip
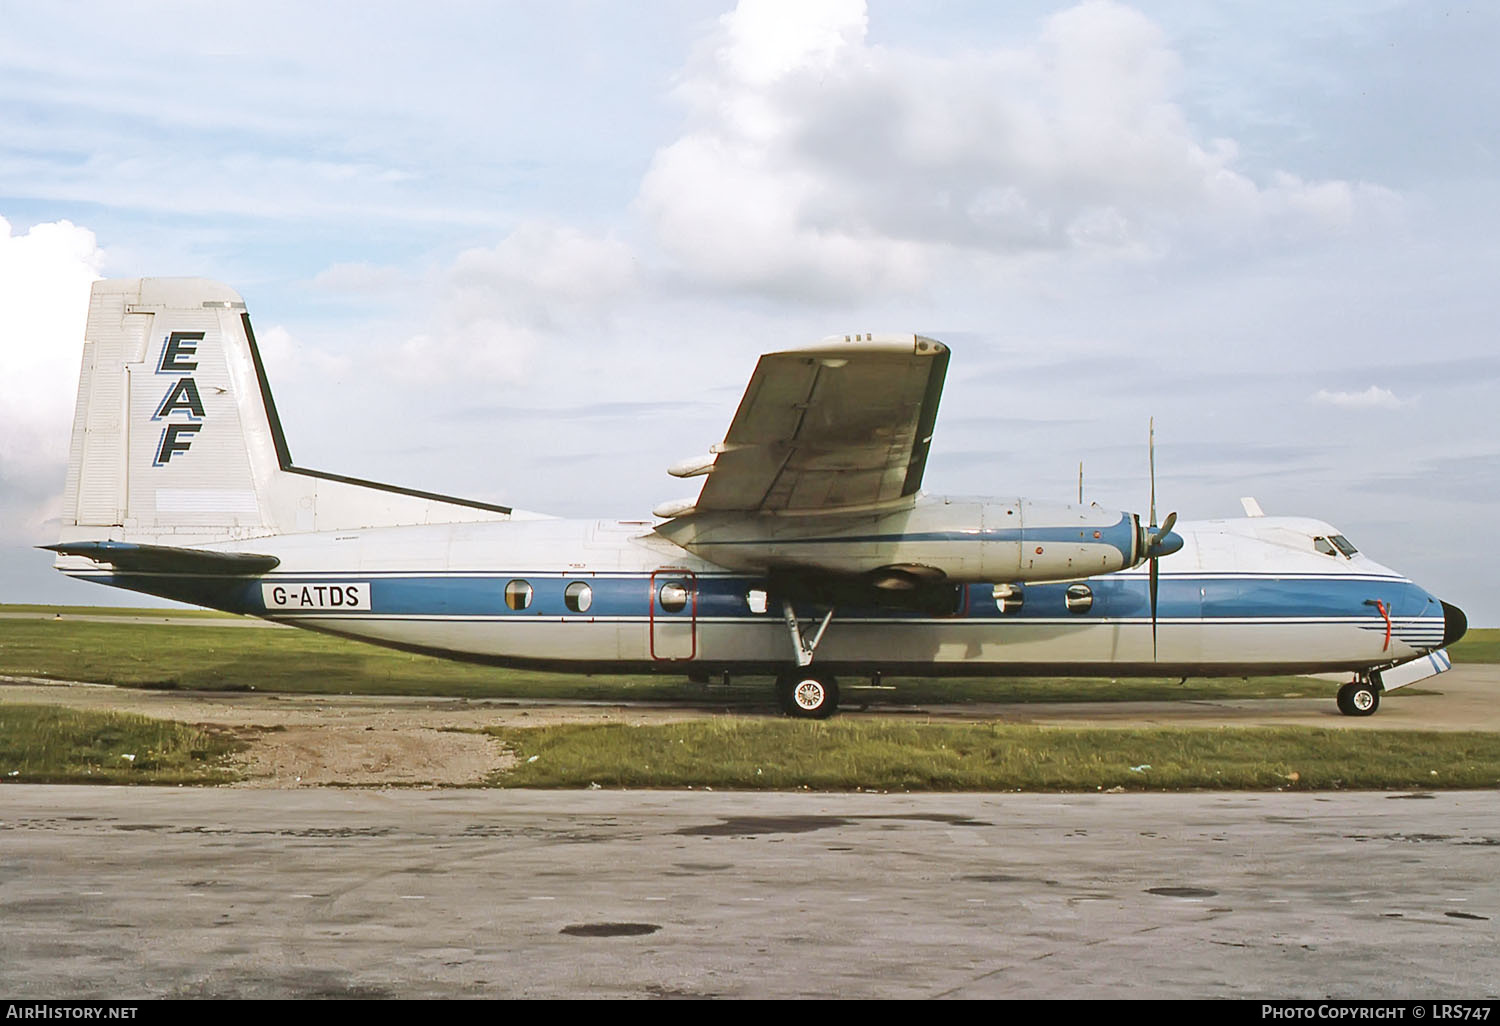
(232, 659)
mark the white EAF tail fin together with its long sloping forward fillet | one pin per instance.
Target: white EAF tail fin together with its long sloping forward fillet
(176, 439)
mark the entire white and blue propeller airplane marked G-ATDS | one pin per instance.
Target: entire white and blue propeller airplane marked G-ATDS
(809, 554)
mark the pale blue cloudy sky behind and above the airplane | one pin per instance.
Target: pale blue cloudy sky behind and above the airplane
(529, 253)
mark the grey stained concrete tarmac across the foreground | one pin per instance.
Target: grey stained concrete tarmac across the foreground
(329, 893)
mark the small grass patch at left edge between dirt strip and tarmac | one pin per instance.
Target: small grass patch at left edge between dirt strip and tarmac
(50, 745)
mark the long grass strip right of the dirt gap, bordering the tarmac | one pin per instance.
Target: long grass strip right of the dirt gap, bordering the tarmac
(779, 755)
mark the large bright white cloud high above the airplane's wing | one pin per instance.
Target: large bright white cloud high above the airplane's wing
(818, 164)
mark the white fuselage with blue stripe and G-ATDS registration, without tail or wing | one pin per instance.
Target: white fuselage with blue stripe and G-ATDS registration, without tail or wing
(607, 596)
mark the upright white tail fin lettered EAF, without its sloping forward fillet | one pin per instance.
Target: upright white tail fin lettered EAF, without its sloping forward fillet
(170, 440)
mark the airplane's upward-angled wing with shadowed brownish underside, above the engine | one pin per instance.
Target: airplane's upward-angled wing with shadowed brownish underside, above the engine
(839, 425)
